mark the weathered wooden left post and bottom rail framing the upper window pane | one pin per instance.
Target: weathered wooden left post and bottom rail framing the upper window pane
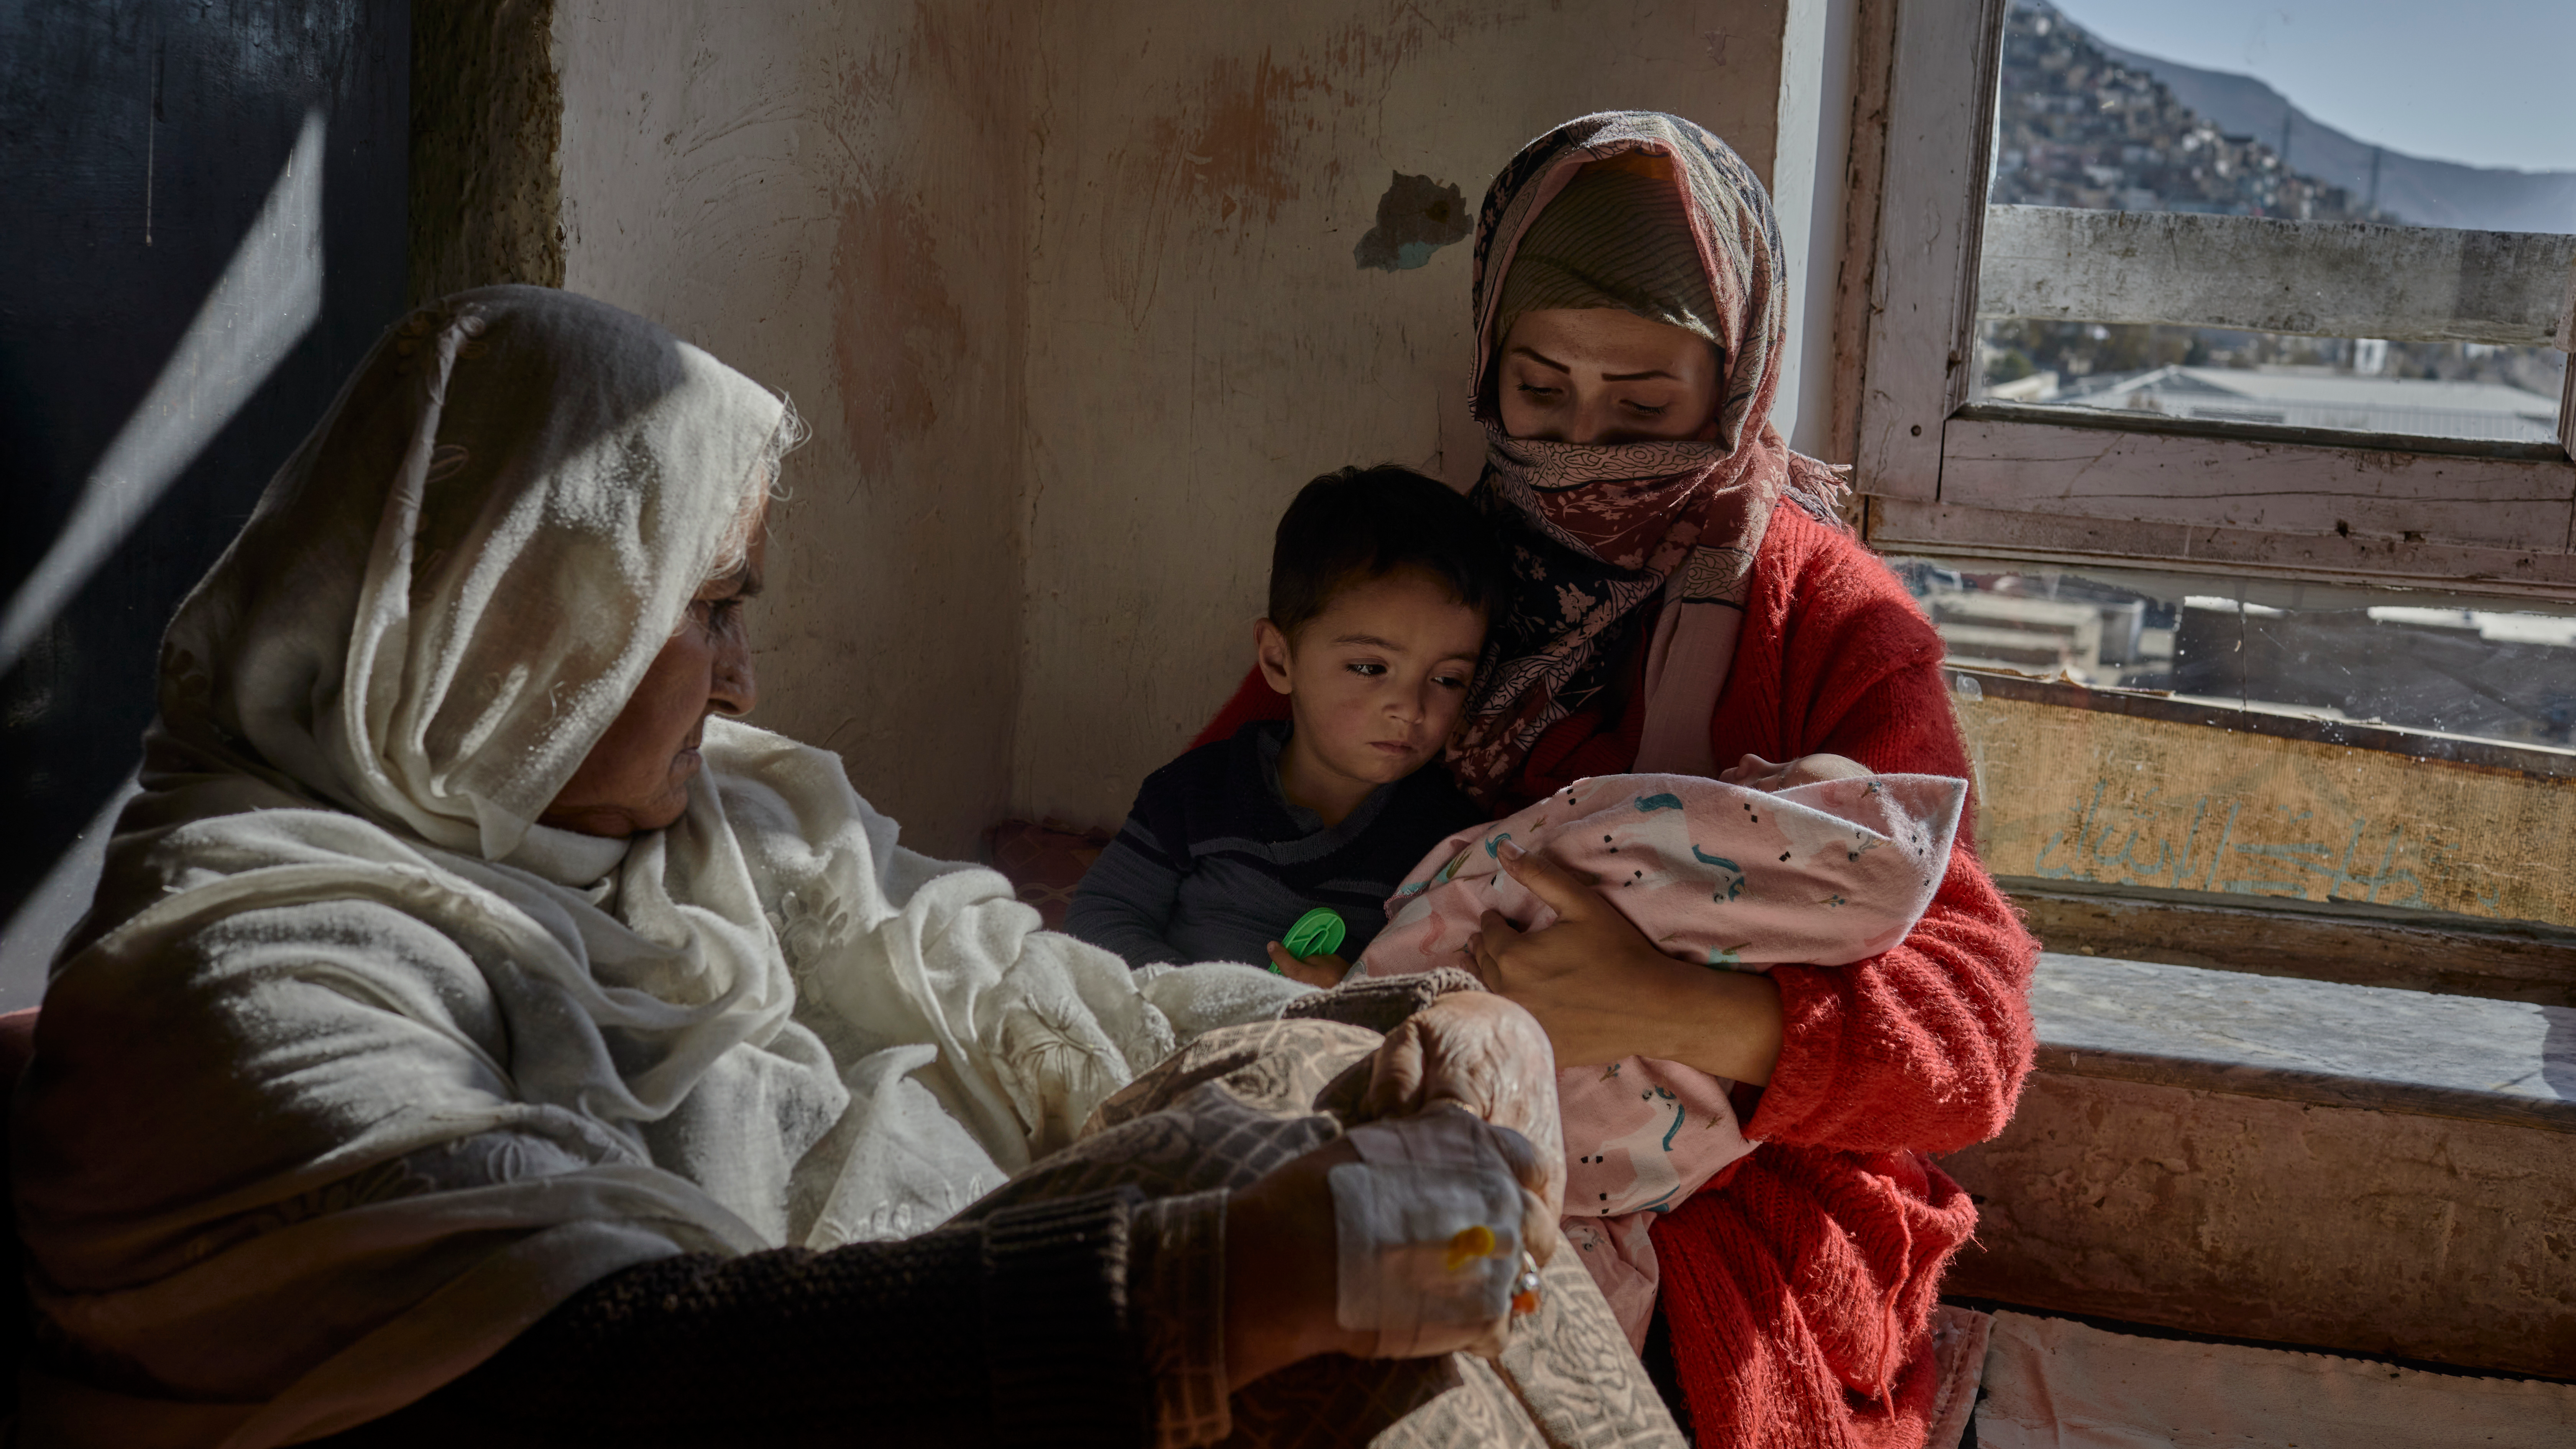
(1959, 478)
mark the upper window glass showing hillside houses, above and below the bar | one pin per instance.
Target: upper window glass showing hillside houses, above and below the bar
(2230, 130)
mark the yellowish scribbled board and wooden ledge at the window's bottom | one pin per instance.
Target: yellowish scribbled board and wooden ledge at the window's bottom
(2114, 821)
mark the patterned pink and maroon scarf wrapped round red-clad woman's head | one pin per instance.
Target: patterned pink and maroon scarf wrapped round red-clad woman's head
(1606, 532)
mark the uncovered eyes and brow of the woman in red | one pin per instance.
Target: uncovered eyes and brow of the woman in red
(1601, 375)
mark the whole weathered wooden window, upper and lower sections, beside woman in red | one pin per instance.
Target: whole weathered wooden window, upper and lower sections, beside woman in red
(2211, 427)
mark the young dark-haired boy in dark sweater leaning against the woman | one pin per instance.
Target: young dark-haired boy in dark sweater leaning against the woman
(1382, 584)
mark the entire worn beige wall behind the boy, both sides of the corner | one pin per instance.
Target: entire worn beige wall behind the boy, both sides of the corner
(1068, 295)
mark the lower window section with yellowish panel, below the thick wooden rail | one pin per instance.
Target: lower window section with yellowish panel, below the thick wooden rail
(2263, 739)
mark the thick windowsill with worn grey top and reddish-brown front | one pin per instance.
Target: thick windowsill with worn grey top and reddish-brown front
(2371, 1172)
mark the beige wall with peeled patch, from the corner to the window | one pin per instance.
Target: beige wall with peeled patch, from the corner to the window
(1202, 339)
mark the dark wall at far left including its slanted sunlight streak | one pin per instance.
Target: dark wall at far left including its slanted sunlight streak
(210, 241)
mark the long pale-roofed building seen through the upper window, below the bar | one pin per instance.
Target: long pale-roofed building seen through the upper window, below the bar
(2327, 401)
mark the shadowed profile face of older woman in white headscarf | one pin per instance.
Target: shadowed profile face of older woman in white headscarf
(638, 775)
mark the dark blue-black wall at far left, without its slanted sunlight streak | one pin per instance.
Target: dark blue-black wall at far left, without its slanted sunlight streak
(179, 117)
